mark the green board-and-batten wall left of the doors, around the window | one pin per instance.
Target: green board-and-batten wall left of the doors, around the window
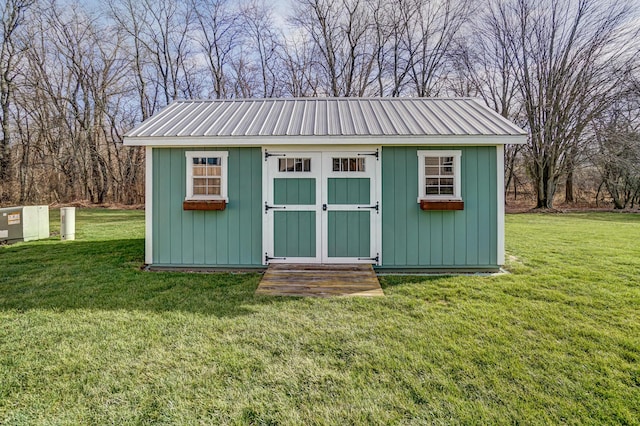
(231, 237)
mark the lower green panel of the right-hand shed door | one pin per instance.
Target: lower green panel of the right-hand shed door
(349, 234)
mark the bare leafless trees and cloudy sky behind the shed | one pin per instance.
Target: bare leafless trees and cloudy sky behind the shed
(74, 77)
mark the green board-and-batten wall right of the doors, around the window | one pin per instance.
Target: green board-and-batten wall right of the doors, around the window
(413, 238)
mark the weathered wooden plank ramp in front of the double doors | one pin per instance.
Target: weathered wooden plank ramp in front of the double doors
(319, 280)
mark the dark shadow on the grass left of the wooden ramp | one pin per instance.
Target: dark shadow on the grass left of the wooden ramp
(106, 275)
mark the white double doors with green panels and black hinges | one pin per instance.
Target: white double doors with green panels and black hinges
(322, 207)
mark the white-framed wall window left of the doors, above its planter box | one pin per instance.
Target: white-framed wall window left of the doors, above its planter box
(207, 175)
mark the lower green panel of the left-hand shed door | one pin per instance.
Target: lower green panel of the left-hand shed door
(294, 234)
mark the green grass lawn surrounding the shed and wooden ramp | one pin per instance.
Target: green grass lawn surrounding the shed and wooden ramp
(87, 338)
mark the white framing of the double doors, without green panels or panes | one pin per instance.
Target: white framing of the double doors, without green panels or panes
(269, 172)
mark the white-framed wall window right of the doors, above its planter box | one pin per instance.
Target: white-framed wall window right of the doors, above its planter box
(439, 175)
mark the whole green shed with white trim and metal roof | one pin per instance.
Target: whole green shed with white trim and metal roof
(406, 184)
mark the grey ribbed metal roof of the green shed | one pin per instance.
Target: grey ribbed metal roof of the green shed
(328, 117)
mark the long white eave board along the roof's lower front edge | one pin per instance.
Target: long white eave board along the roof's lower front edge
(182, 141)
